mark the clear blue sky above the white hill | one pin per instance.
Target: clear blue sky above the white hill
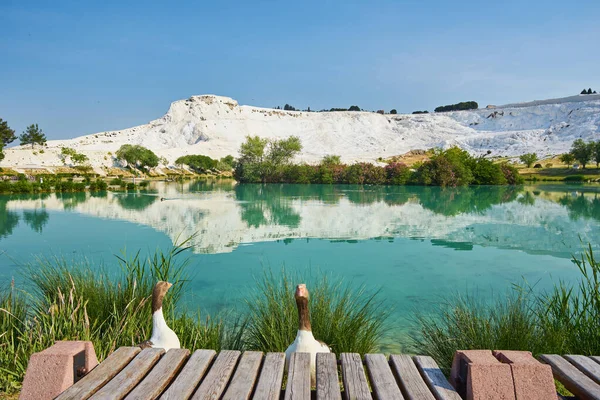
(79, 67)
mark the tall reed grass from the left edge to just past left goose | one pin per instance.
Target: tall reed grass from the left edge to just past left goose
(76, 301)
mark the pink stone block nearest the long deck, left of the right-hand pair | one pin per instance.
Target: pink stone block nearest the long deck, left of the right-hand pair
(478, 375)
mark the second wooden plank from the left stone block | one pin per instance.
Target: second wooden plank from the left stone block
(130, 376)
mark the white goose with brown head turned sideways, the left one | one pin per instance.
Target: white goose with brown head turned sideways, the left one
(162, 335)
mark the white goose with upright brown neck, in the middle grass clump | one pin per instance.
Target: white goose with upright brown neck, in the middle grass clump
(305, 341)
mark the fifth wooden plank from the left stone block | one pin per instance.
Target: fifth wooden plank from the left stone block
(217, 378)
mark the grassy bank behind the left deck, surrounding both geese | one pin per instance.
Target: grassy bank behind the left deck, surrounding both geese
(63, 300)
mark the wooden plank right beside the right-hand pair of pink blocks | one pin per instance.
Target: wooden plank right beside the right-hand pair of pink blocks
(573, 379)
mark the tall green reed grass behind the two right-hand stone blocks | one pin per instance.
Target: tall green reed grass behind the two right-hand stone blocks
(563, 320)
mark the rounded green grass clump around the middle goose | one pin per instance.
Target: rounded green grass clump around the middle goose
(335, 310)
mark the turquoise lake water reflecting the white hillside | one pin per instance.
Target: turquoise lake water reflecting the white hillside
(418, 244)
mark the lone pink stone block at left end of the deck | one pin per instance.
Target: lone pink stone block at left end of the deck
(53, 370)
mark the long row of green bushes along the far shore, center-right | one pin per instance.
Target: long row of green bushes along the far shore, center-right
(269, 161)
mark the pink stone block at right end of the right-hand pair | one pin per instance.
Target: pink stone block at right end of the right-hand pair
(532, 379)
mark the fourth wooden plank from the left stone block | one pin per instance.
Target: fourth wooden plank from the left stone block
(189, 377)
